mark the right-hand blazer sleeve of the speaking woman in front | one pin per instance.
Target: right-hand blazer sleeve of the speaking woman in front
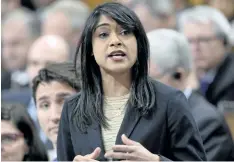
(186, 142)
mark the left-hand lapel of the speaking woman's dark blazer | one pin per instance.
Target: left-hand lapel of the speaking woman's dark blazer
(95, 140)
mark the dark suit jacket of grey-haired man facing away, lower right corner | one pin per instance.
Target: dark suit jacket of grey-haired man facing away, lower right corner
(215, 133)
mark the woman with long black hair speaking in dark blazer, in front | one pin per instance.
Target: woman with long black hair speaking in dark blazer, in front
(120, 113)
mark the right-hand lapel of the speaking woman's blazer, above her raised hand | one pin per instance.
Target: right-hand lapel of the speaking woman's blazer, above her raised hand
(129, 122)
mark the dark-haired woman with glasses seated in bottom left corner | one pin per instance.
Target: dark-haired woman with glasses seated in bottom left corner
(19, 138)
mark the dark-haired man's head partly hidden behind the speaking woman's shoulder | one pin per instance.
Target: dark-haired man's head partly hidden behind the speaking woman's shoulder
(51, 86)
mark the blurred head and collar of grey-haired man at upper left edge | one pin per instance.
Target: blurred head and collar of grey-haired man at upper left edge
(20, 28)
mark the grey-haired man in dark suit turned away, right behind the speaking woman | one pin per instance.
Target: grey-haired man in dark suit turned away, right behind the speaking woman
(171, 63)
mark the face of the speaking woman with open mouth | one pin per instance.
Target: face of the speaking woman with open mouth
(114, 48)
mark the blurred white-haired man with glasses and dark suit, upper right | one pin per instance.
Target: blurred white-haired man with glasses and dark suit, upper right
(208, 32)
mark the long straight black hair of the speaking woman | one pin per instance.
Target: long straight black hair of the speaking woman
(142, 96)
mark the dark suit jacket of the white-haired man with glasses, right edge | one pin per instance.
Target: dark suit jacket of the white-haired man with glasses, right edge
(222, 87)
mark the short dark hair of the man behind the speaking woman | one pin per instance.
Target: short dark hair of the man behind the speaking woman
(61, 72)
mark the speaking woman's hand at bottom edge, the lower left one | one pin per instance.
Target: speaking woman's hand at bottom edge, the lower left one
(88, 157)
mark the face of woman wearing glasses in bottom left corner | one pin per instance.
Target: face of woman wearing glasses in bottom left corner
(13, 146)
